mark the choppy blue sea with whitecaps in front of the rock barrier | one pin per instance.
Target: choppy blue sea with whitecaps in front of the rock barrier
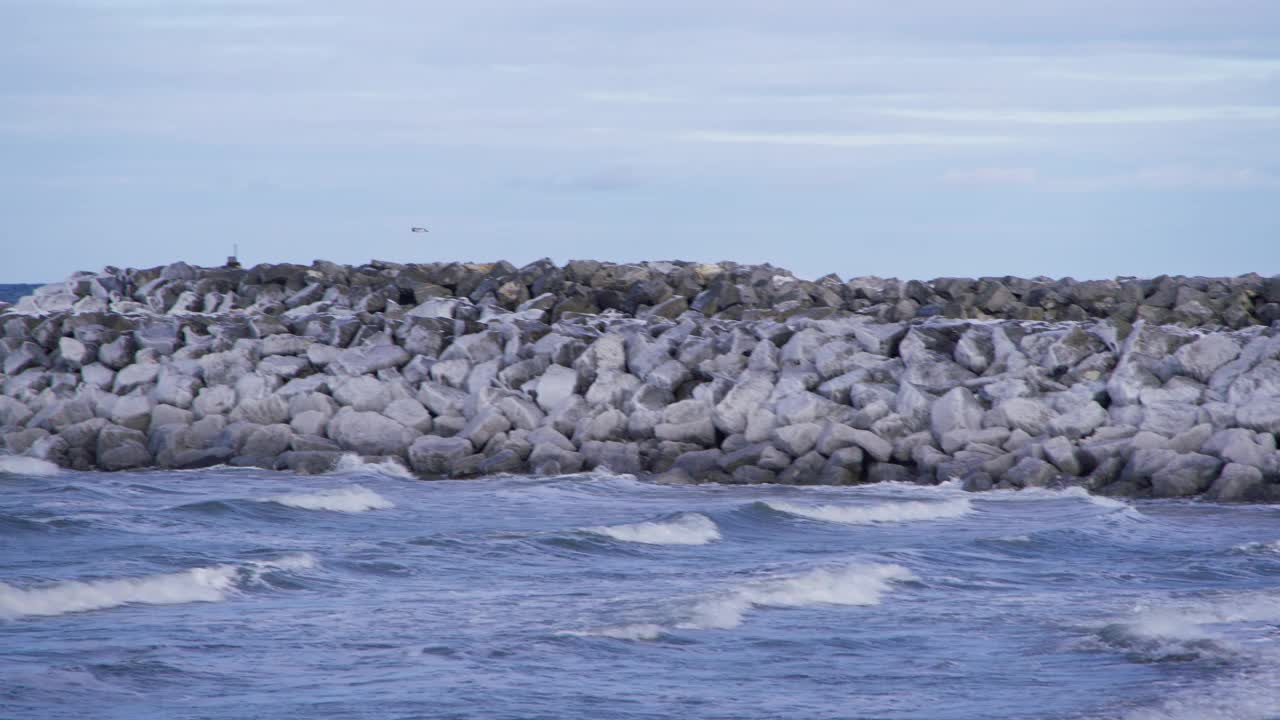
(234, 594)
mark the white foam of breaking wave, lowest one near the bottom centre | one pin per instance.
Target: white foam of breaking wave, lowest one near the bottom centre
(851, 586)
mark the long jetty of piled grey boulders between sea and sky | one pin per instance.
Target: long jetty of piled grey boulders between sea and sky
(1163, 388)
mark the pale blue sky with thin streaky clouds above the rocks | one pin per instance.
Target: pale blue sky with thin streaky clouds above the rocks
(915, 139)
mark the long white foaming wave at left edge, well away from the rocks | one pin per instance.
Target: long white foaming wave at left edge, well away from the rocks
(214, 584)
